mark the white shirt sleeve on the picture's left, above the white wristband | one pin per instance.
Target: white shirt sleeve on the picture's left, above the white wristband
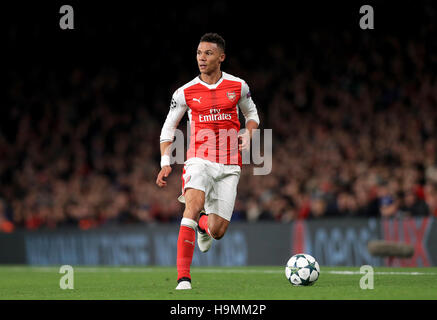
(174, 116)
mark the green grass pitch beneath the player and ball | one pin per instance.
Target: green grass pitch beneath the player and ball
(213, 283)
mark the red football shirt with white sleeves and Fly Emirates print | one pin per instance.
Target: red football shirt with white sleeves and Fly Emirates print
(213, 117)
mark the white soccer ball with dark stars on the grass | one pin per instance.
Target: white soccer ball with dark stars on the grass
(302, 270)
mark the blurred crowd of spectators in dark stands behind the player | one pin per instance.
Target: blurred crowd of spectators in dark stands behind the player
(354, 135)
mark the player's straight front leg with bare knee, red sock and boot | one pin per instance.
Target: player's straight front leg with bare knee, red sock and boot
(194, 202)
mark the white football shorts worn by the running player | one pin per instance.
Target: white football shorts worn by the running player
(218, 181)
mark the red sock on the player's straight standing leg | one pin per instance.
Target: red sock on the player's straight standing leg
(185, 252)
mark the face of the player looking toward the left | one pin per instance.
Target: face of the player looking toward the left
(209, 57)
